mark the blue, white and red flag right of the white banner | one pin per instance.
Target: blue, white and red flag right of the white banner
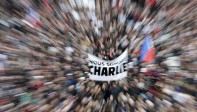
(147, 50)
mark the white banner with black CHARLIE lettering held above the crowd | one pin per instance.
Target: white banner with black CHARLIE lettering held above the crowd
(102, 70)
